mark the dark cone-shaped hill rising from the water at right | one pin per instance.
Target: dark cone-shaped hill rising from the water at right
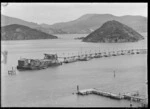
(113, 32)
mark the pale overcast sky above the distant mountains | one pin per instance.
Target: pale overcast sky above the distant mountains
(51, 13)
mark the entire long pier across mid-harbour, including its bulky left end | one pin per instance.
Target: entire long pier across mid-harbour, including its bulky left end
(52, 59)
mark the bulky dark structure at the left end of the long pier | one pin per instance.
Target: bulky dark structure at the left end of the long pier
(37, 64)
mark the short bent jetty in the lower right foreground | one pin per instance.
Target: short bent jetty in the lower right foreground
(110, 95)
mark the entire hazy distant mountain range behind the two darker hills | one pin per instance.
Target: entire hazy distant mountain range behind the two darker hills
(83, 25)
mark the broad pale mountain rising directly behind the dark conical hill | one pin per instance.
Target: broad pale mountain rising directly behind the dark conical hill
(90, 22)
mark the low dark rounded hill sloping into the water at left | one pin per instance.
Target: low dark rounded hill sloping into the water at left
(20, 32)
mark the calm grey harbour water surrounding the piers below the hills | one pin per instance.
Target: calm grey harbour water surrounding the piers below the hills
(56, 86)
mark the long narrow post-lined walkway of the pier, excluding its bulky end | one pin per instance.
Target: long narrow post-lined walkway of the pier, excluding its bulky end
(88, 56)
